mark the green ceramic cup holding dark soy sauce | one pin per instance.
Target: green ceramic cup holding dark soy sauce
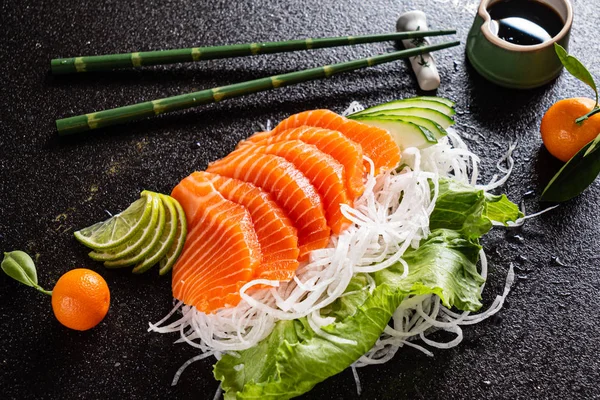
(523, 61)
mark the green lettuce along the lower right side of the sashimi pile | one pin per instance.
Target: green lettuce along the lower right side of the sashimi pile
(293, 358)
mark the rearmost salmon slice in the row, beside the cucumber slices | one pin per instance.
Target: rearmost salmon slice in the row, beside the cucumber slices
(376, 143)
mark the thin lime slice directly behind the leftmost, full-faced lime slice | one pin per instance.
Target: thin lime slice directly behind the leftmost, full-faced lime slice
(133, 245)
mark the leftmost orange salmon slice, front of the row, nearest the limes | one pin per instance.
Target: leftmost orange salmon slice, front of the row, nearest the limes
(203, 269)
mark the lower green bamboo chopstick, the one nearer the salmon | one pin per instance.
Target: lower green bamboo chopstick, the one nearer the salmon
(100, 119)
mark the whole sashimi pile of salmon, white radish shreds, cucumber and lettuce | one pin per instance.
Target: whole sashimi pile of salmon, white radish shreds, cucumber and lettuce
(330, 242)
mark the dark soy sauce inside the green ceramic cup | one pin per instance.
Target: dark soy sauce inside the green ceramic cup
(524, 22)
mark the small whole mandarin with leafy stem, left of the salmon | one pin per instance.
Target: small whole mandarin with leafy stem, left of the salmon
(80, 299)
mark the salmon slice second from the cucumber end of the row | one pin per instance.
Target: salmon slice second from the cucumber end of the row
(334, 143)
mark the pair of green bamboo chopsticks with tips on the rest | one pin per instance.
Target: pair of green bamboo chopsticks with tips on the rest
(100, 119)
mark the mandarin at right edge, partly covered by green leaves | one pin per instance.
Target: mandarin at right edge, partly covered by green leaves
(562, 136)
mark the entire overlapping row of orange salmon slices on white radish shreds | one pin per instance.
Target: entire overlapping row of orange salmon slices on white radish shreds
(256, 212)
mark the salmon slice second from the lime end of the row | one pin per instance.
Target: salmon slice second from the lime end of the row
(275, 232)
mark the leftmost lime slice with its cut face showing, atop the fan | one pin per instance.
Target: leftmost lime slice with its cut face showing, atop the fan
(117, 229)
